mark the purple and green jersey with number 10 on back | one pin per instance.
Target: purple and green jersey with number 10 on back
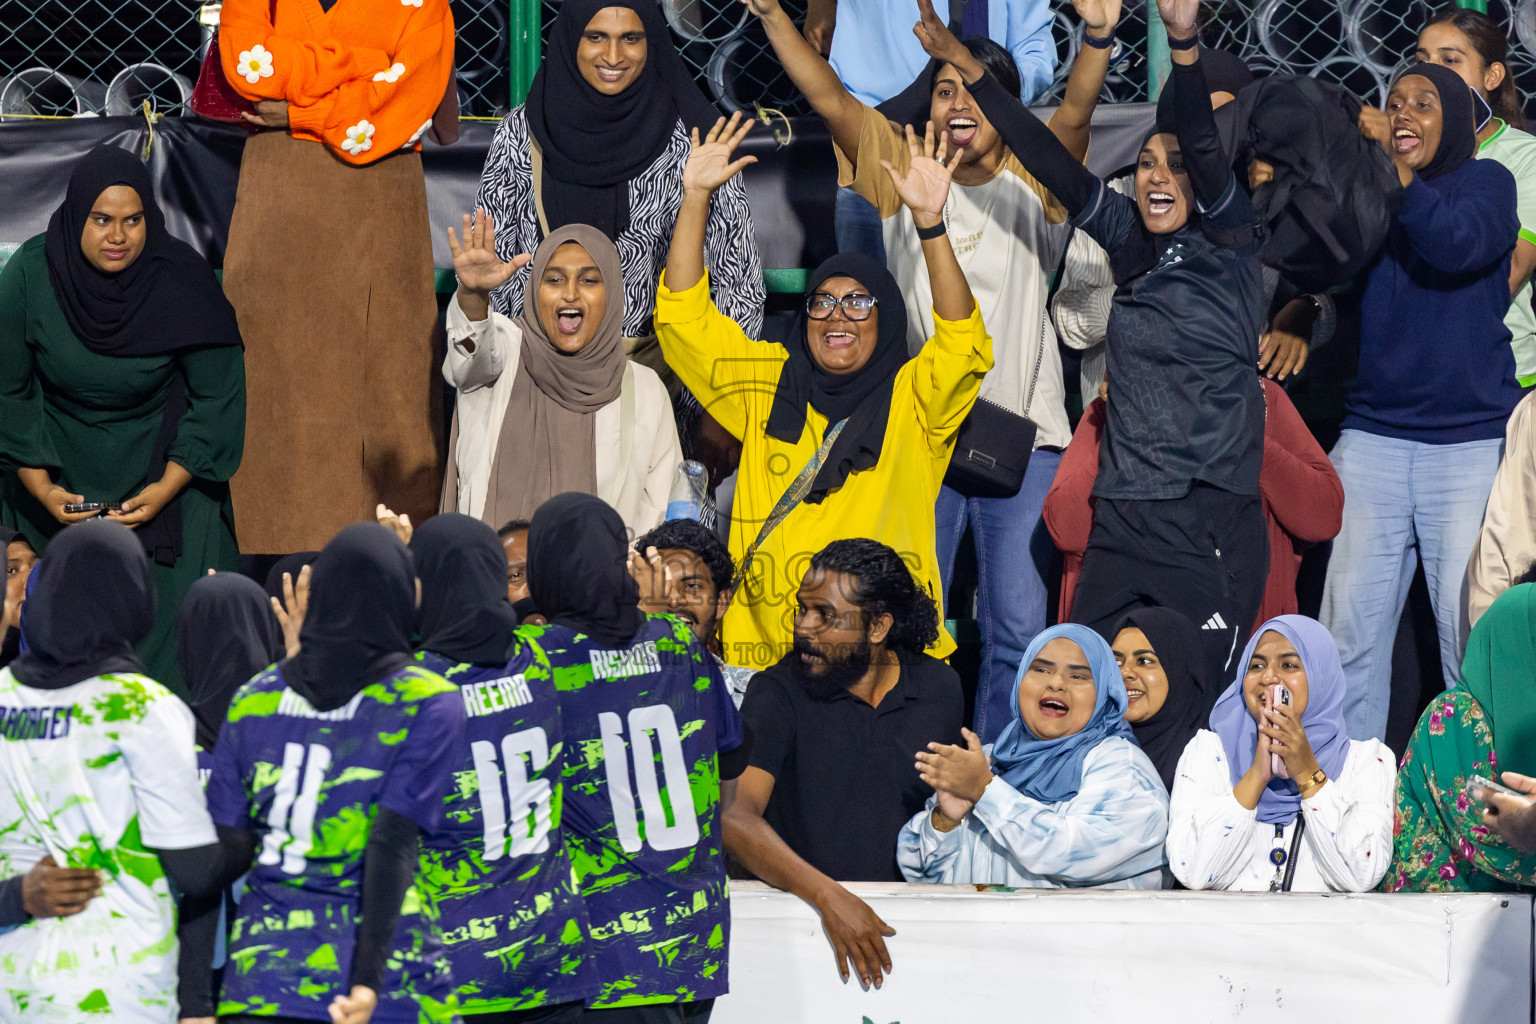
(644, 725)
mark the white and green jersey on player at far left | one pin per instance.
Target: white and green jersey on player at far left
(98, 776)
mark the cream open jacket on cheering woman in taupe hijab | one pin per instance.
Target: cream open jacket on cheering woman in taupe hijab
(485, 378)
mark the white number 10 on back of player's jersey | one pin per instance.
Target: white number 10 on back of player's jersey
(670, 827)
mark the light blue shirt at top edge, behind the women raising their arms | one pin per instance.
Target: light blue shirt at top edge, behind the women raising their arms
(876, 55)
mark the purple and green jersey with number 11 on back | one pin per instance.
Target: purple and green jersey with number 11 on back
(310, 784)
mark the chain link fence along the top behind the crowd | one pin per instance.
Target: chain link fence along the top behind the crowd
(67, 58)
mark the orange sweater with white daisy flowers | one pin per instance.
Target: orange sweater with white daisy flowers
(363, 79)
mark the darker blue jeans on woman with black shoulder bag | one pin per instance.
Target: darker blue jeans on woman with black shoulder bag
(1013, 557)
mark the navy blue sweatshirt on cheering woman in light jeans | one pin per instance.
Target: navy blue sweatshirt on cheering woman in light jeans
(1435, 362)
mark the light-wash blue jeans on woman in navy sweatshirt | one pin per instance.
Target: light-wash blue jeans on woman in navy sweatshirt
(1403, 501)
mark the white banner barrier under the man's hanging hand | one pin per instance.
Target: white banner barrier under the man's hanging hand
(1180, 957)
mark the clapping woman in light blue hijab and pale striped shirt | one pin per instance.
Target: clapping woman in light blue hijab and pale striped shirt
(1065, 798)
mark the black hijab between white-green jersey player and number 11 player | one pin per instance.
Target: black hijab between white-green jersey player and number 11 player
(225, 636)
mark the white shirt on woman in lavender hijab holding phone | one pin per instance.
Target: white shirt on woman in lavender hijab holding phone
(1217, 844)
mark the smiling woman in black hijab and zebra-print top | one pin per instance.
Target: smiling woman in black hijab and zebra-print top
(603, 140)
